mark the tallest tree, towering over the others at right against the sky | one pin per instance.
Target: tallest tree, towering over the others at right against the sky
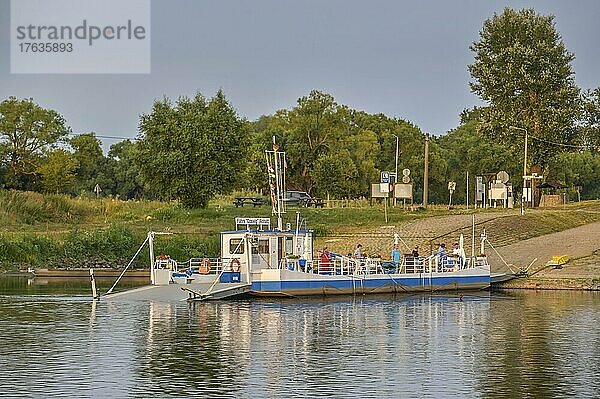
(522, 70)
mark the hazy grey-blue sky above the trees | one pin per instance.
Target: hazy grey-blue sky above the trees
(406, 59)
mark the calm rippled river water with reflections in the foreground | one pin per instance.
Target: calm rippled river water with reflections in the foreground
(56, 342)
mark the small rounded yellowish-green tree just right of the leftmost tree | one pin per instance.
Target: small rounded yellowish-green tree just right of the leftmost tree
(58, 171)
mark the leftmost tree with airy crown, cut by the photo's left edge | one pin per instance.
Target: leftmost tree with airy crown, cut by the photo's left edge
(27, 131)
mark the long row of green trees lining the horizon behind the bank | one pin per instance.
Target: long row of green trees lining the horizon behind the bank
(192, 149)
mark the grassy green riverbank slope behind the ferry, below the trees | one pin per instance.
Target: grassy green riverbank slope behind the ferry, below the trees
(54, 230)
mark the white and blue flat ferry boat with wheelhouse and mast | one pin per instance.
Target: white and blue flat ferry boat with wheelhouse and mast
(261, 260)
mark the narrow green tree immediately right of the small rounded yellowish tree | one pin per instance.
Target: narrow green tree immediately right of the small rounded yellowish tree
(91, 161)
